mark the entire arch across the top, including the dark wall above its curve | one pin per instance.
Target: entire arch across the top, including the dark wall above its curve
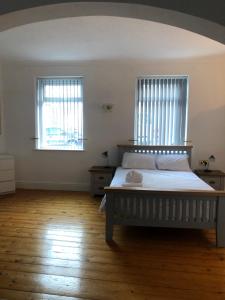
(203, 17)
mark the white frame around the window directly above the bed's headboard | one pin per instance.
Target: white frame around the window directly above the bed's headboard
(163, 77)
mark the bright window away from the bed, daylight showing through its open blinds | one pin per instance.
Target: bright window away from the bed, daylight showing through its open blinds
(59, 113)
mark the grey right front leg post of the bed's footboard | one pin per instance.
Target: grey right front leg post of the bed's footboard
(220, 223)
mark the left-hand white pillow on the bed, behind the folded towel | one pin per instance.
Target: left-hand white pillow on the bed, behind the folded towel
(138, 161)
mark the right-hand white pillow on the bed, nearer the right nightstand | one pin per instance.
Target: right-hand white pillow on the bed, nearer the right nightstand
(173, 162)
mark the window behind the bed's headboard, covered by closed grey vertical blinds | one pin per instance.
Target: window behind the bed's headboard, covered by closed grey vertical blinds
(161, 110)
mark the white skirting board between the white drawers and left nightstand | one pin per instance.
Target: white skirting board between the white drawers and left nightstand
(79, 187)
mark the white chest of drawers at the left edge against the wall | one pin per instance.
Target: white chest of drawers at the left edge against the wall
(7, 174)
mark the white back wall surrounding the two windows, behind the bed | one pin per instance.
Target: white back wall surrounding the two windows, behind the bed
(112, 82)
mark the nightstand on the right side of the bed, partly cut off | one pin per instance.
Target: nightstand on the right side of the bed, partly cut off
(214, 178)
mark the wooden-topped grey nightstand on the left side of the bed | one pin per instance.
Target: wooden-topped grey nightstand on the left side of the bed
(100, 177)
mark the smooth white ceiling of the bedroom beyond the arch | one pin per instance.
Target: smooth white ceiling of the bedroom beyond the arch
(102, 38)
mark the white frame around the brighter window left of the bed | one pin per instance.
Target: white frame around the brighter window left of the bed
(37, 112)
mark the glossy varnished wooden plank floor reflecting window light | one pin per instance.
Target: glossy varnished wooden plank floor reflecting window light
(52, 247)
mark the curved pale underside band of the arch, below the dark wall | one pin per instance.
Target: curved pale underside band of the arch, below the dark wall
(130, 10)
